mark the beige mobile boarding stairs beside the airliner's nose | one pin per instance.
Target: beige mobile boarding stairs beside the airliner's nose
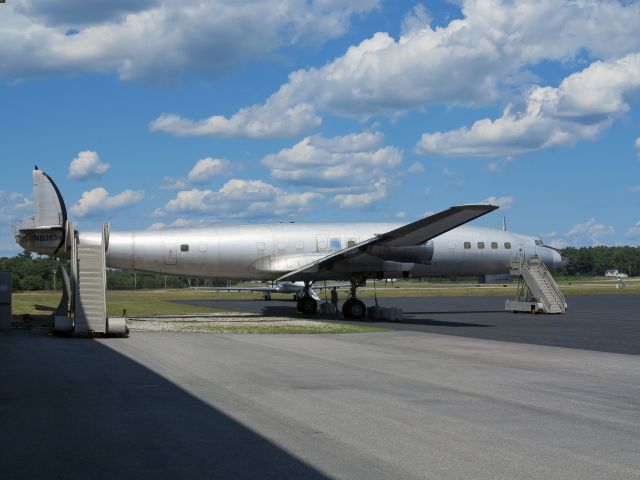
(537, 290)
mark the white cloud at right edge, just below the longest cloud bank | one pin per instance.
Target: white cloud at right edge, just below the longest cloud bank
(582, 106)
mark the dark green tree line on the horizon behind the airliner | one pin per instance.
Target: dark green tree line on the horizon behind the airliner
(31, 272)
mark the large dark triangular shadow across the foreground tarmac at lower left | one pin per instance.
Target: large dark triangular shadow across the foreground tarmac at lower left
(79, 409)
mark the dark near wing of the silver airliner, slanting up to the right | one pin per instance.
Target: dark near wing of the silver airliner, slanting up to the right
(415, 233)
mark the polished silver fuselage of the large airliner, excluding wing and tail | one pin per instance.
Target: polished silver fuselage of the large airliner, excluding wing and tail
(265, 252)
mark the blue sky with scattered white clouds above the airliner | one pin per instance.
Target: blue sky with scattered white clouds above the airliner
(153, 114)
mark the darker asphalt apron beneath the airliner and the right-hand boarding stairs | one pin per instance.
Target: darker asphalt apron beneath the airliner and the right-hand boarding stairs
(607, 323)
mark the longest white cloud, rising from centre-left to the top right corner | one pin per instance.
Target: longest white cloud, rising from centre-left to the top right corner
(473, 61)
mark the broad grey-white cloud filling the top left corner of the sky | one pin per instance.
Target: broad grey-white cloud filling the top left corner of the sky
(159, 41)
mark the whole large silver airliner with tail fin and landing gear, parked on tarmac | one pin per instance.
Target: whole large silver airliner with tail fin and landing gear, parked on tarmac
(433, 246)
